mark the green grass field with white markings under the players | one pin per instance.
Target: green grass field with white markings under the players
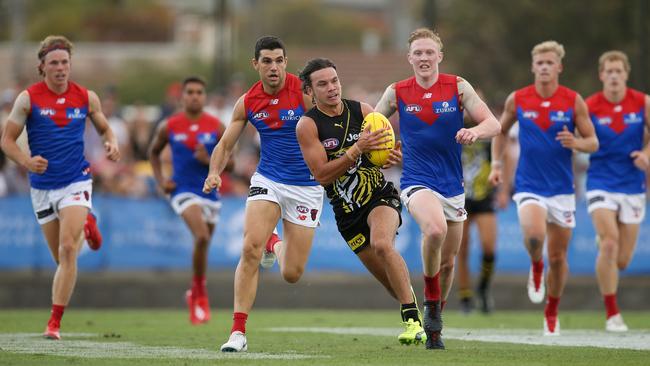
(316, 337)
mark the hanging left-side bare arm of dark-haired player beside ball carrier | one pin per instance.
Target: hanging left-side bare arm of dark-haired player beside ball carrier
(221, 154)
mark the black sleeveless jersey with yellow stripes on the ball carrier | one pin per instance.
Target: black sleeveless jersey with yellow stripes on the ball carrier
(353, 190)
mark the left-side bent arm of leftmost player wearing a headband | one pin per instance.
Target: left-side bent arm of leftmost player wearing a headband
(13, 128)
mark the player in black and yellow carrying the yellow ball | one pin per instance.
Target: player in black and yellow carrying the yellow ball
(366, 206)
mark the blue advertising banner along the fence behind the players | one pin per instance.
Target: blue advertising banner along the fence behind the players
(147, 235)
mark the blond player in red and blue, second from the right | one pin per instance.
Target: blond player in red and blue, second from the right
(548, 115)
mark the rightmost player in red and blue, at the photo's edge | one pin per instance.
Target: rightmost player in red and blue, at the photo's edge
(616, 179)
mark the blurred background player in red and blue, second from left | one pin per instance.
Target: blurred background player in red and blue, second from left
(192, 135)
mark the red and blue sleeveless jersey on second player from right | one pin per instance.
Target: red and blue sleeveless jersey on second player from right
(544, 166)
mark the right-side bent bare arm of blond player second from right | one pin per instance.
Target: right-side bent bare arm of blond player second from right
(587, 142)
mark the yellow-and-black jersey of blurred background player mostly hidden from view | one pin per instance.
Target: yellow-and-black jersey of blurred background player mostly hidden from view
(476, 170)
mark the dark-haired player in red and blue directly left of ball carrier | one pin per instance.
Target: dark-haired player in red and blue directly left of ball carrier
(282, 187)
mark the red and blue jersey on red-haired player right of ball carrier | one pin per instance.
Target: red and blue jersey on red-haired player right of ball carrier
(429, 120)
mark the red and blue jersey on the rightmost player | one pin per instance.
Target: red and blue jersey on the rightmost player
(619, 127)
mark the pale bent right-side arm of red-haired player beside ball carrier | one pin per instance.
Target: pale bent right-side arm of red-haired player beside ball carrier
(487, 125)
